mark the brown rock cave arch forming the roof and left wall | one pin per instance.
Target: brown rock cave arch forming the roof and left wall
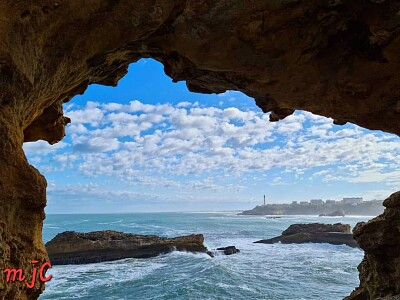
(336, 58)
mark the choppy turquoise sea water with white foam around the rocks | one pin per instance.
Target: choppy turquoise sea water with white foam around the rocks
(259, 271)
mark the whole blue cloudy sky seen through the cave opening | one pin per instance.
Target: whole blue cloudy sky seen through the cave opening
(150, 145)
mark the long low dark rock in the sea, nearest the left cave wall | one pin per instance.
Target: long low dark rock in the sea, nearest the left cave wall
(80, 248)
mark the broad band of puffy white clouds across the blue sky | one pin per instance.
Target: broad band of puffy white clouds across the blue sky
(150, 144)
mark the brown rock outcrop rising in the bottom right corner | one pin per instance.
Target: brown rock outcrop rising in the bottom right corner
(380, 240)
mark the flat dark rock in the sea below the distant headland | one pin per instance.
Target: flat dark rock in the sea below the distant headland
(336, 234)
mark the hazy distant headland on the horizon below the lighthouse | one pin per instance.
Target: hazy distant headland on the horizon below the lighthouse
(367, 208)
